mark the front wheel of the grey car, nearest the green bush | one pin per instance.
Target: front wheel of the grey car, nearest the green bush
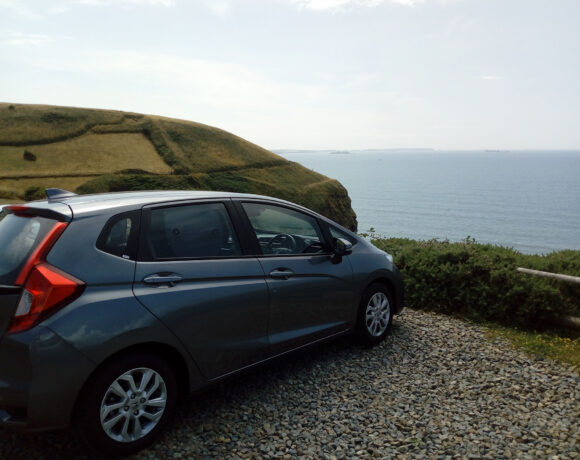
(375, 314)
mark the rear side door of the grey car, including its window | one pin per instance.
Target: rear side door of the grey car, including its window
(194, 276)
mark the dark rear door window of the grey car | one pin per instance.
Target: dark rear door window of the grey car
(190, 231)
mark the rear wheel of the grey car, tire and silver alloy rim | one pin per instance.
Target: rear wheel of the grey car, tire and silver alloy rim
(127, 404)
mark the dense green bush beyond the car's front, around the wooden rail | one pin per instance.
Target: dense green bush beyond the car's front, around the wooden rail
(480, 281)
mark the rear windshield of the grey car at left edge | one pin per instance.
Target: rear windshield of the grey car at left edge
(19, 236)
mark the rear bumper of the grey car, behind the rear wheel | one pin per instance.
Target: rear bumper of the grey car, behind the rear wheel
(40, 378)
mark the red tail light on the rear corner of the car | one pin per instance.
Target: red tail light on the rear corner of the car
(46, 288)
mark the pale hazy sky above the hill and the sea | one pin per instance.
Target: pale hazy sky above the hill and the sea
(310, 74)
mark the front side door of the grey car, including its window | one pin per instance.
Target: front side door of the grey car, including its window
(310, 296)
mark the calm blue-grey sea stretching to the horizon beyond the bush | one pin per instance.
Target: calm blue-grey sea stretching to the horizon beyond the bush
(526, 200)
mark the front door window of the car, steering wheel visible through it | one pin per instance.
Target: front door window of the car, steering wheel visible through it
(282, 231)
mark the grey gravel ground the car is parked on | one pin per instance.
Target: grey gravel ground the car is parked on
(435, 388)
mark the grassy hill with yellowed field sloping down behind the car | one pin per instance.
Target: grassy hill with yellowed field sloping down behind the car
(90, 151)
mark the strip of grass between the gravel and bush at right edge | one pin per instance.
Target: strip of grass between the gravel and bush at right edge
(556, 345)
